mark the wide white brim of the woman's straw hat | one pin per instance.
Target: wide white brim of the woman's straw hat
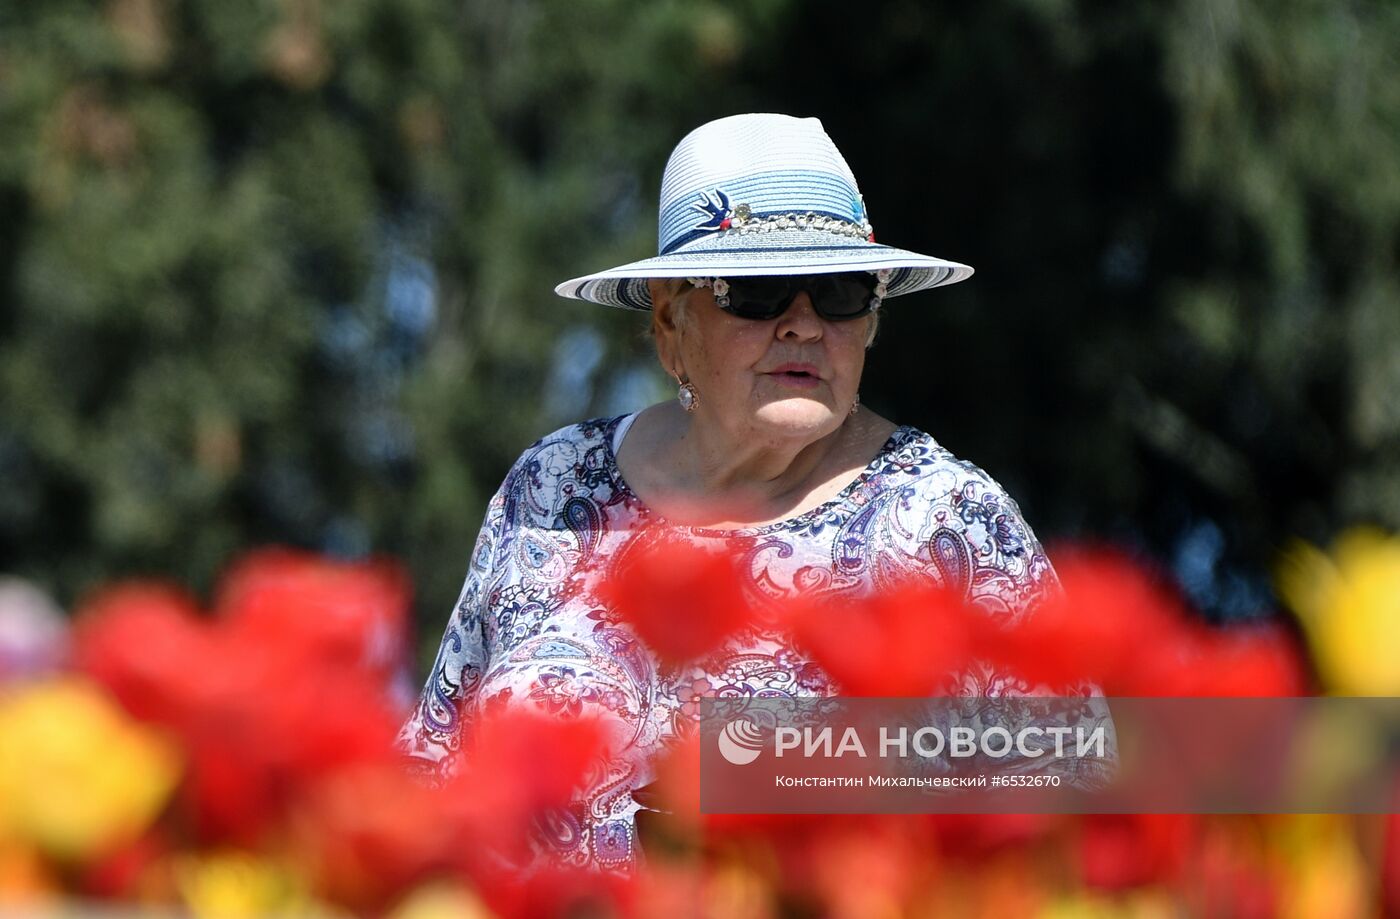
(766, 254)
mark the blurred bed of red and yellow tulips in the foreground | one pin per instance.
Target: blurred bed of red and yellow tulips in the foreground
(240, 760)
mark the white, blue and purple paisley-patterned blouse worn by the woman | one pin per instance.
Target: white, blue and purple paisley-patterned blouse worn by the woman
(528, 627)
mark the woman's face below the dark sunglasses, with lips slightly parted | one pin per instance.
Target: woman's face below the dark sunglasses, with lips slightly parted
(794, 378)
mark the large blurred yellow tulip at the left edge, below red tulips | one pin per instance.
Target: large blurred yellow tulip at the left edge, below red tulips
(78, 777)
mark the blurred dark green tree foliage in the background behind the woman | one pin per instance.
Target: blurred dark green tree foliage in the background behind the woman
(282, 270)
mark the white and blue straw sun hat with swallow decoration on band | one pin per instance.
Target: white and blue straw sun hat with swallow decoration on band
(761, 195)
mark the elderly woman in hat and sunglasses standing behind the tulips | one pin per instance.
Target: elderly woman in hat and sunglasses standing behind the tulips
(764, 298)
